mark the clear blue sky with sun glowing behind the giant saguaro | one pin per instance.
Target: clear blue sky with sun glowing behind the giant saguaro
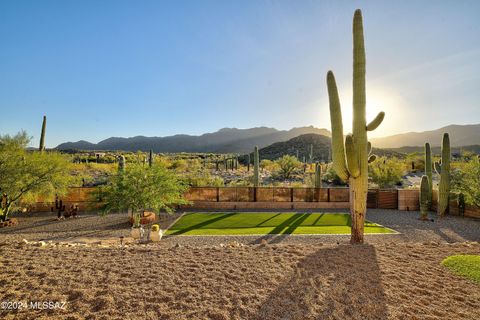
(98, 69)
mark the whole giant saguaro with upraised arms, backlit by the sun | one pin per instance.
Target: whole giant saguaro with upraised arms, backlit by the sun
(350, 159)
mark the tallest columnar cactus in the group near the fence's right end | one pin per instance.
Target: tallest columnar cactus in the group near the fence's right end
(443, 169)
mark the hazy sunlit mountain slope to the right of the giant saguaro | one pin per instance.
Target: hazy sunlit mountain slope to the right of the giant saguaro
(460, 135)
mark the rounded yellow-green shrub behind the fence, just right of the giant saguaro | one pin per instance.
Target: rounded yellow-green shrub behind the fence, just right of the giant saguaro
(385, 172)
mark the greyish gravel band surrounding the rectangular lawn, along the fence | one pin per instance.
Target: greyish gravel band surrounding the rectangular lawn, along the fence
(44, 226)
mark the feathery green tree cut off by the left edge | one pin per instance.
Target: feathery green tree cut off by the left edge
(25, 176)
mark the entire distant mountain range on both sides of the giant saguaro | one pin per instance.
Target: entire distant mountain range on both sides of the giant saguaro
(233, 140)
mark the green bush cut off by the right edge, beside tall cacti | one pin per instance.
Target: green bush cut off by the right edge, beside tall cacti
(466, 179)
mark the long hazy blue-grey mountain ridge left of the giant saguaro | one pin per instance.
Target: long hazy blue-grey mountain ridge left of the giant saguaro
(226, 140)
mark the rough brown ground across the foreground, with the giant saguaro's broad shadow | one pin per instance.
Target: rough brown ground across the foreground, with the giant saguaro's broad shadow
(283, 281)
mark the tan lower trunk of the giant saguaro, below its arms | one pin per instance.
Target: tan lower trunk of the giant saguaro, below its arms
(358, 208)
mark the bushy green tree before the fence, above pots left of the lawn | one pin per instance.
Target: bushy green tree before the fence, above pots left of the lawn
(141, 188)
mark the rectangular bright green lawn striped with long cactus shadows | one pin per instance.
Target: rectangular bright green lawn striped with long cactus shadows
(267, 223)
